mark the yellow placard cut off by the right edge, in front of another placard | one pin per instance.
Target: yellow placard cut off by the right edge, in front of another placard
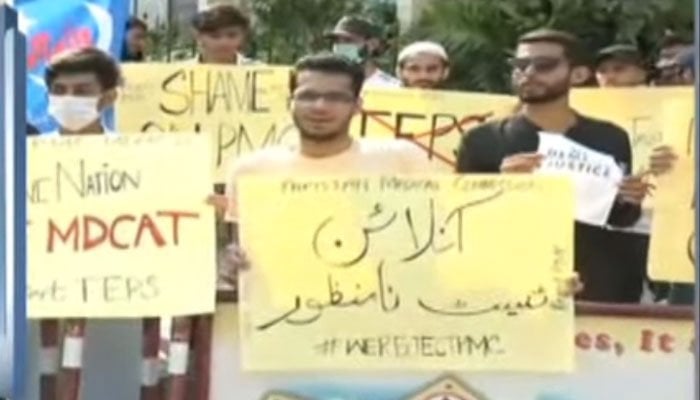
(672, 246)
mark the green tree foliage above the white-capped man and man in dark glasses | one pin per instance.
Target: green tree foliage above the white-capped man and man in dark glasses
(479, 34)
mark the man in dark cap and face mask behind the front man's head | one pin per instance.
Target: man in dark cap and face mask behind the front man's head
(360, 40)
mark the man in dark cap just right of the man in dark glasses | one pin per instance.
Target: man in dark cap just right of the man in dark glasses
(620, 65)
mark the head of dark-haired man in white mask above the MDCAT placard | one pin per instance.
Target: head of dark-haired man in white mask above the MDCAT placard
(82, 84)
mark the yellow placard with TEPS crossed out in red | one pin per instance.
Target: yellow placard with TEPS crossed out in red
(434, 120)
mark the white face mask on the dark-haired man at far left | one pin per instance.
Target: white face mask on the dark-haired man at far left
(74, 113)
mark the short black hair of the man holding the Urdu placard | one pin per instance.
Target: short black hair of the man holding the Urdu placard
(332, 64)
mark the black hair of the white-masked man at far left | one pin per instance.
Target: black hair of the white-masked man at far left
(85, 60)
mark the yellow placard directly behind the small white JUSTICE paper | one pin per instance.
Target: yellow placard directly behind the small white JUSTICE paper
(637, 110)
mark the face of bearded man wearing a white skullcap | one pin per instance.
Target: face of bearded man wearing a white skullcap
(423, 65)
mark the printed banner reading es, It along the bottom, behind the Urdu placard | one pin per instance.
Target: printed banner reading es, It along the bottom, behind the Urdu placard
(656, 353)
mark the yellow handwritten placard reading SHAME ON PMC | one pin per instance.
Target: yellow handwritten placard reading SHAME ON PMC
(243, 108)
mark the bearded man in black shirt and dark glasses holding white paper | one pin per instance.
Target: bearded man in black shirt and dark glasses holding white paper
(544, 70)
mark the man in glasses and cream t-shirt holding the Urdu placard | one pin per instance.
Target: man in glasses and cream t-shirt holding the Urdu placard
(325, 97)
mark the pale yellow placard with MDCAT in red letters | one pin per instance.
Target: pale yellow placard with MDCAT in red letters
(118, 226)
